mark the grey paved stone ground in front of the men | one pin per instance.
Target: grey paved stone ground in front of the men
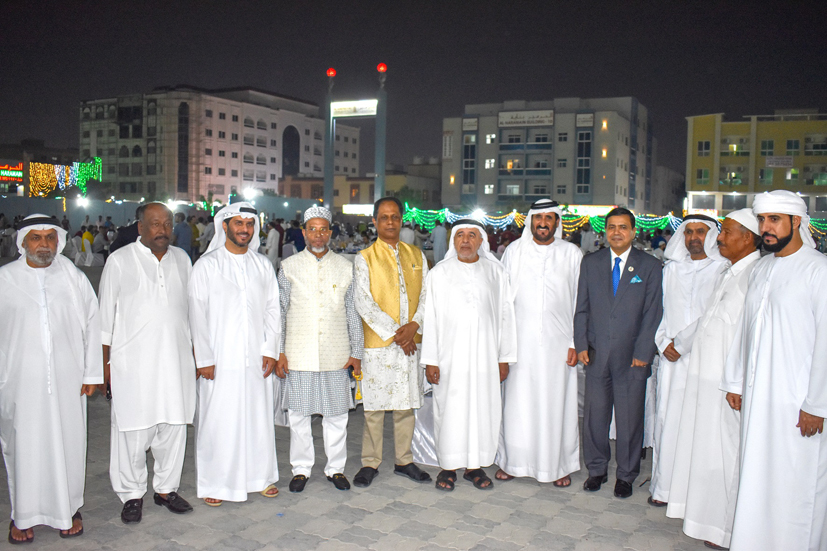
(394, 514)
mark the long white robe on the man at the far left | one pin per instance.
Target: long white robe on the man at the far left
(50, 348)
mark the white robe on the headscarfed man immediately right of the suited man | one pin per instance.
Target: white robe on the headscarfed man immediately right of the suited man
(687, 288)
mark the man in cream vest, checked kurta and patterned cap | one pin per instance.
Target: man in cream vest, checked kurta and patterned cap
(321, 339)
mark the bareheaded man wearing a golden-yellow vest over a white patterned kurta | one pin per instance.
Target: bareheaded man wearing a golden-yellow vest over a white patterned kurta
(390, 296)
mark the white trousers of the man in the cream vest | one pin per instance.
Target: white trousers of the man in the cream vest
(302, 452)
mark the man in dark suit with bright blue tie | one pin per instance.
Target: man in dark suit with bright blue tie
(619, 307)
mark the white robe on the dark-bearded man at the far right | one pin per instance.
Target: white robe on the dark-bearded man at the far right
(780, 368)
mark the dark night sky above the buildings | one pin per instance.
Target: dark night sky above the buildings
(677, 58)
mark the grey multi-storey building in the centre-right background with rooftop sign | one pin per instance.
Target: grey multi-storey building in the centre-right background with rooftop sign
(576, 151)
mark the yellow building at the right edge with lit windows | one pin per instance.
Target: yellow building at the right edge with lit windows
(727, 163)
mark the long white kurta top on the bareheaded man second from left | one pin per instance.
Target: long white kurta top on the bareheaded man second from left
(144, 321)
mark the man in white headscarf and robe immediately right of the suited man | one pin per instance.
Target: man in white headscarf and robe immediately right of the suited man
(693, 263)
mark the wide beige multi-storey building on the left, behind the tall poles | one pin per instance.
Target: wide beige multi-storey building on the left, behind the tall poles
(184, 142)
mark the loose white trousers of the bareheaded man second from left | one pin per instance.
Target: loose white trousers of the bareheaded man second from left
(127, 459)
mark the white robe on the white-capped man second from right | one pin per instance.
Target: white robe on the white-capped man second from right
(705, 475)
